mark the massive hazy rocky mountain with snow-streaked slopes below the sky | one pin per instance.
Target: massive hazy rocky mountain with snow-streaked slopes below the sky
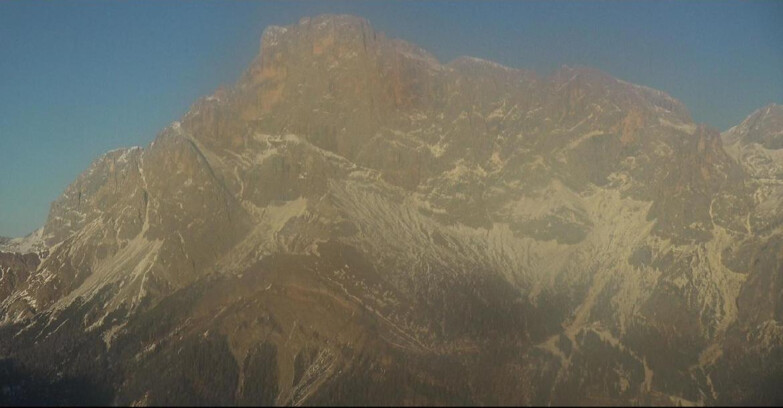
(354, 222)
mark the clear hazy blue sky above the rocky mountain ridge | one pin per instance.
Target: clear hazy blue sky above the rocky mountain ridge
(79, 78)
